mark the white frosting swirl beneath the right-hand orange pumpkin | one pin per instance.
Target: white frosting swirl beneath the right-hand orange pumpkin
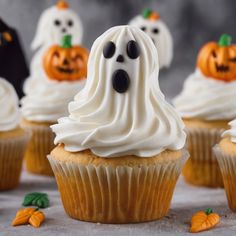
(206, 98)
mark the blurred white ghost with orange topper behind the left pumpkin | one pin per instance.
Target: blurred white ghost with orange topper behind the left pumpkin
(54, 23)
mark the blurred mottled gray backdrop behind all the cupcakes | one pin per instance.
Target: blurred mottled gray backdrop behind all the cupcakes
(192, 22)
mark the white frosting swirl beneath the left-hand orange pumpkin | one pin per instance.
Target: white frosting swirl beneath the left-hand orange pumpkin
(47, 100)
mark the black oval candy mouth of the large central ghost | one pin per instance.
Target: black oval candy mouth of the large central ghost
(120, 81)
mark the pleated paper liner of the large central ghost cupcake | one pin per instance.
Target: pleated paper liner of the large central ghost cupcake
(121, 194)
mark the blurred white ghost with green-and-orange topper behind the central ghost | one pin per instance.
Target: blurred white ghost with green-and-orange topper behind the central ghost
(150, 22)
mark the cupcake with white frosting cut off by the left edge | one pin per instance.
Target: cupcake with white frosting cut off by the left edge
(13, 139)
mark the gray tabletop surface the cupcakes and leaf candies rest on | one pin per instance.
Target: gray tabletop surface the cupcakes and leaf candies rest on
(186, 201)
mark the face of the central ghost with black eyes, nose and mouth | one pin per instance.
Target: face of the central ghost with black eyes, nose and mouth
(120, 58)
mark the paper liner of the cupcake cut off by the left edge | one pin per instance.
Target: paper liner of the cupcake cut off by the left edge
(11, 157)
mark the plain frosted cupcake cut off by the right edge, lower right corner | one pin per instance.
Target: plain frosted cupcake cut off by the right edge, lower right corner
(225, 153)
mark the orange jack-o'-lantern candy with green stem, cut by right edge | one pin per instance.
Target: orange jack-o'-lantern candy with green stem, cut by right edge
(218, 60)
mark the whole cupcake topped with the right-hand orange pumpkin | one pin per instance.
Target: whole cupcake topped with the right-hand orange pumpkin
(206, 105)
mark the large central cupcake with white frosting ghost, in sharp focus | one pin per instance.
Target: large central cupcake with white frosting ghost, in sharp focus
(120, 151)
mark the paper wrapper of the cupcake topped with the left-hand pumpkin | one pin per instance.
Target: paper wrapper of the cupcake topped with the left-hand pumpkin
(40, 145)
